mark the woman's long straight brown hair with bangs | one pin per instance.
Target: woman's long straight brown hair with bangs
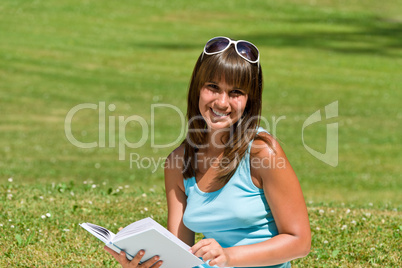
(239, 73)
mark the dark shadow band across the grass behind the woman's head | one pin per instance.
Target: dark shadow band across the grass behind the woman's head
(365, 35)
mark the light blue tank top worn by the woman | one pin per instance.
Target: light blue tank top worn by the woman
(237, 214)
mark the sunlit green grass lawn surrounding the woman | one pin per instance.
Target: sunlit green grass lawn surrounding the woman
(133, 55)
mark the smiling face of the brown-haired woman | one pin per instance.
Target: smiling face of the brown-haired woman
(221, 105)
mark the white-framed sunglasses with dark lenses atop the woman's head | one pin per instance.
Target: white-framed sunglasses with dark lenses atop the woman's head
(244, 49)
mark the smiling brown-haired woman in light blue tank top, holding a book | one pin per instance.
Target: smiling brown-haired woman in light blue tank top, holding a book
(251, 213)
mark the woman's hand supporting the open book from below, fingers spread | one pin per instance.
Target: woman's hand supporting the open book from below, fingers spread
(153, 262)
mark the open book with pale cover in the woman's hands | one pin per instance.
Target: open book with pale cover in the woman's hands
(150, 236)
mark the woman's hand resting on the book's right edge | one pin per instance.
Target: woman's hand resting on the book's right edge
(210, 250)
